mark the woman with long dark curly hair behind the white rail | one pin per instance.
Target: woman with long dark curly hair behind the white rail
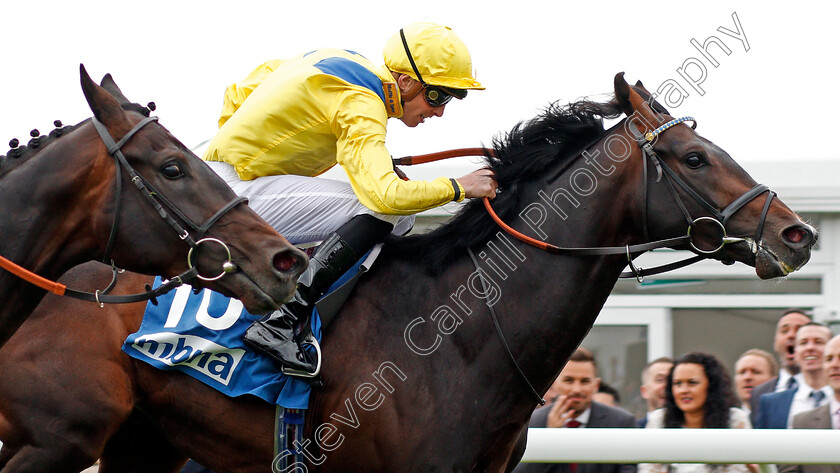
(698, 395)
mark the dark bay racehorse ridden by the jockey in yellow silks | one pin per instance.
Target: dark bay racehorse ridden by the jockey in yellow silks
(417, 377)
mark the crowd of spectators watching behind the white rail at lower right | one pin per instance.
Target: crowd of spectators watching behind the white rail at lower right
(798, 387)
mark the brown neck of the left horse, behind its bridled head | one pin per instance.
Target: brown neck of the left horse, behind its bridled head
(53, 196)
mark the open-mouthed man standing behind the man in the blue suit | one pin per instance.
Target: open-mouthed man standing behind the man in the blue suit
(786, 328)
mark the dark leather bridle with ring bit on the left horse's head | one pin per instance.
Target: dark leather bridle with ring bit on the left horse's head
(161, 204)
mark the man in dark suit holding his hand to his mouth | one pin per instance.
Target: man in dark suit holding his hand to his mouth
(574, 408)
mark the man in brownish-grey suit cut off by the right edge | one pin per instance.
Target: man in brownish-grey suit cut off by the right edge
(823, 417)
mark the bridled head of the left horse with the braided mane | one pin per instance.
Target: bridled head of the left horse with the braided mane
(184, 215)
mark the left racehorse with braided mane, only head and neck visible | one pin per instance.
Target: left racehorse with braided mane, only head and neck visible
(63, 204)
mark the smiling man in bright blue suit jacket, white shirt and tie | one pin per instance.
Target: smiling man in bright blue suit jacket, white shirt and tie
(776, 410)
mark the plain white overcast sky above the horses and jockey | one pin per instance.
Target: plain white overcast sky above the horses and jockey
(771, 98)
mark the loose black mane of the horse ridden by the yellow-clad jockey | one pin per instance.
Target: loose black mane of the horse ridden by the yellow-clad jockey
(524, 154)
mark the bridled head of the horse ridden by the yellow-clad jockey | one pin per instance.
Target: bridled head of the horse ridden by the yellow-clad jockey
(694, 184)
